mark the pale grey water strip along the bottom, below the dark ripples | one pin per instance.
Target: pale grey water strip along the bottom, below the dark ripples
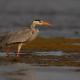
(21, 71)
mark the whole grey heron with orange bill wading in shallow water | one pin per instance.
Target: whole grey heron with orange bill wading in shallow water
(27, 34)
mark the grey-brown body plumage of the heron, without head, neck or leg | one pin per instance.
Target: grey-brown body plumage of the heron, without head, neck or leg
(22, 35)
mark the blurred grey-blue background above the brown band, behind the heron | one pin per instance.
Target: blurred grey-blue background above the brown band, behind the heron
(63, 14)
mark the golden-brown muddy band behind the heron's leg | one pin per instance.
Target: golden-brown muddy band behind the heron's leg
(48, 44)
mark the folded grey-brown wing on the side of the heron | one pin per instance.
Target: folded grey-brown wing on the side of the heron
(20, 36)
